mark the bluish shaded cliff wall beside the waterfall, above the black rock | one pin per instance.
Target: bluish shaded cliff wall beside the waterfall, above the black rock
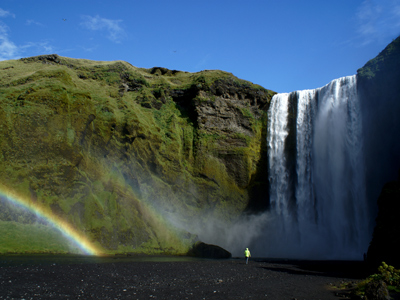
(379, 89)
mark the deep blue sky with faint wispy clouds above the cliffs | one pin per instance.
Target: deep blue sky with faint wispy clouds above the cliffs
(283, 45)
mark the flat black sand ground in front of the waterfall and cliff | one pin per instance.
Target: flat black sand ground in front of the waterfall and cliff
(193, 279)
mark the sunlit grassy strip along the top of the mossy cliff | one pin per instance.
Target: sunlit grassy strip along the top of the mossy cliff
(112, 73)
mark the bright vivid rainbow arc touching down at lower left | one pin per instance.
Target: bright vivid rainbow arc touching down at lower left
(66, 229)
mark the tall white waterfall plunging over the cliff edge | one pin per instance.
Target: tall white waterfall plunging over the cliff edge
(316, 173)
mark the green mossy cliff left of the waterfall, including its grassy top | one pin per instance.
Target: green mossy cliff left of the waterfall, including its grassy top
(119, 152)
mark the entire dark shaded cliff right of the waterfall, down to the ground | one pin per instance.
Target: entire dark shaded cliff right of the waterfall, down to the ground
(379, 89)
